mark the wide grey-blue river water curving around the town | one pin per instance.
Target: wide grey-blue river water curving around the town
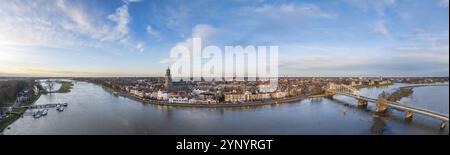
(94, 110)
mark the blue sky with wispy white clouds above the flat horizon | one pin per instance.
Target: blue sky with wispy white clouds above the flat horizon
(134, 37)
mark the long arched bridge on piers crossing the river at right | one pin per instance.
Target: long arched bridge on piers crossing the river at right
(383, 104)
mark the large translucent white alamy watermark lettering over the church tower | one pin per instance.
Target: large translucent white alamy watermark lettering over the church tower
(236, 63)
